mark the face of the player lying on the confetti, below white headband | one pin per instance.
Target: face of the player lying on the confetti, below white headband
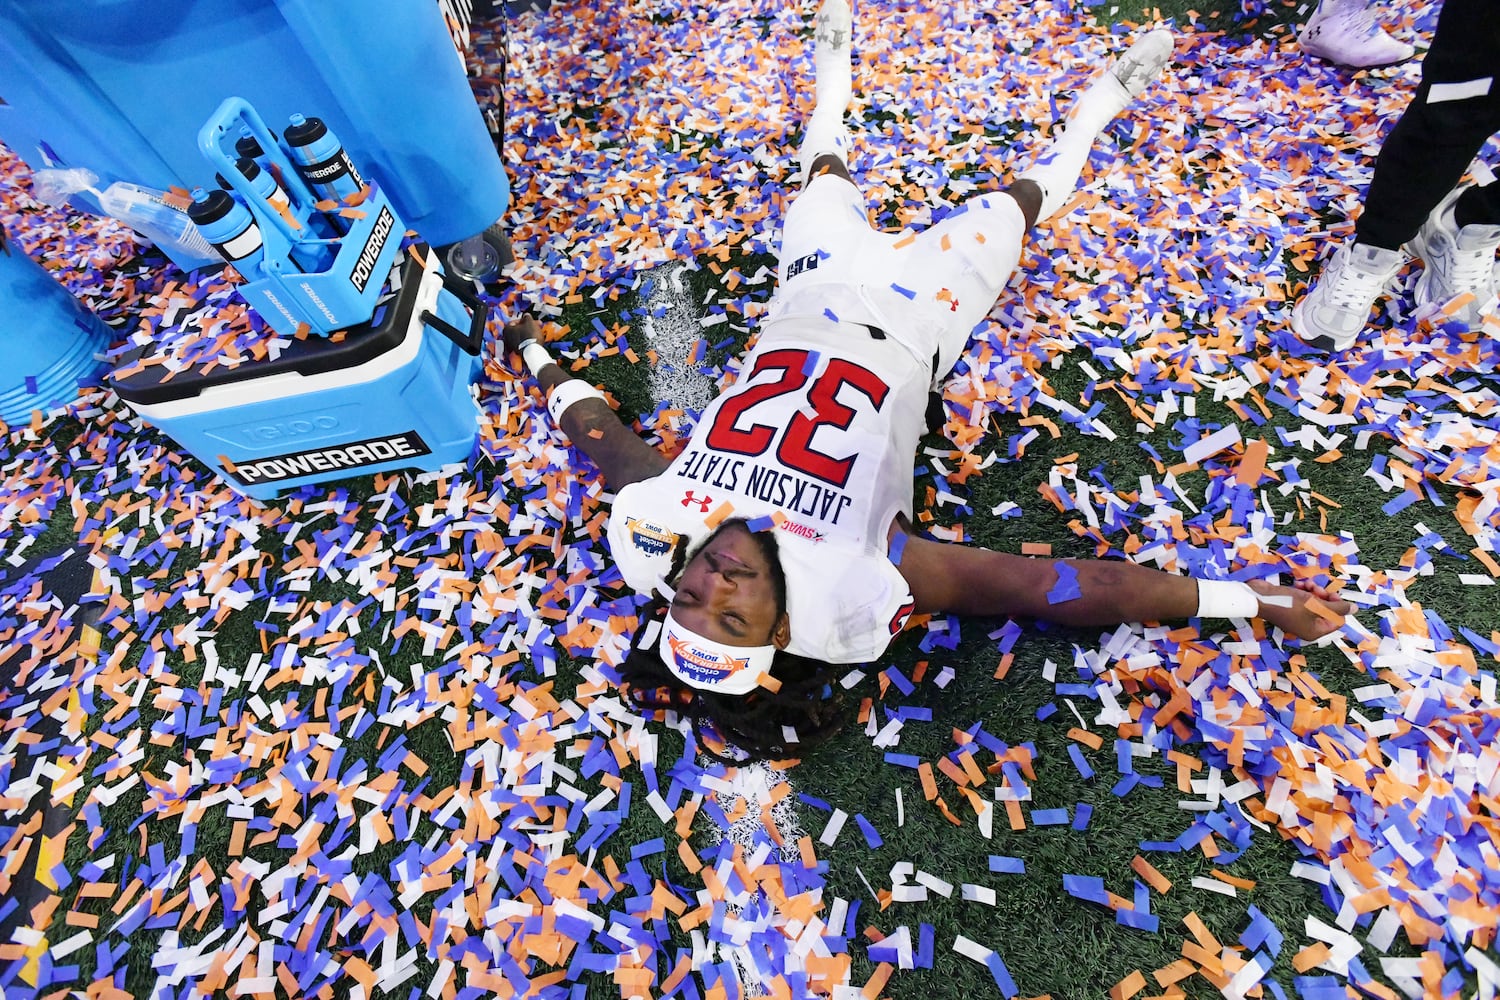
(727, 593)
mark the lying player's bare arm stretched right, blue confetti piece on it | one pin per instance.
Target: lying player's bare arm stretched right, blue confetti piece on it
(947, 578)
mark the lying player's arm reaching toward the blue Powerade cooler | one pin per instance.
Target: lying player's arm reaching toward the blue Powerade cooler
(589, 422)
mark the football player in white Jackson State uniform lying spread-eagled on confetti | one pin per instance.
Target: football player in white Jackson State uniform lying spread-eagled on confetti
(812, 455)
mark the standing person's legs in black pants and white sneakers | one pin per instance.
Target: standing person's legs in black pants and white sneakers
(1453, 113)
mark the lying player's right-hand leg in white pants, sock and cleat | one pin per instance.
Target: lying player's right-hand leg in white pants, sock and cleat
(956, 269)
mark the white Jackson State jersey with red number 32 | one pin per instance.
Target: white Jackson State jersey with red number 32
(817, 439)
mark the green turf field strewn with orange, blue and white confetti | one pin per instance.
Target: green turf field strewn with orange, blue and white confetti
(283, 773)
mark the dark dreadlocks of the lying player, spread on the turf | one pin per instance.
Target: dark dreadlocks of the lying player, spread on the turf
(763, 725)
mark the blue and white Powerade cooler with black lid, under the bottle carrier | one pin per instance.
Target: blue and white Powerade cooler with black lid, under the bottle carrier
(394, 394)
